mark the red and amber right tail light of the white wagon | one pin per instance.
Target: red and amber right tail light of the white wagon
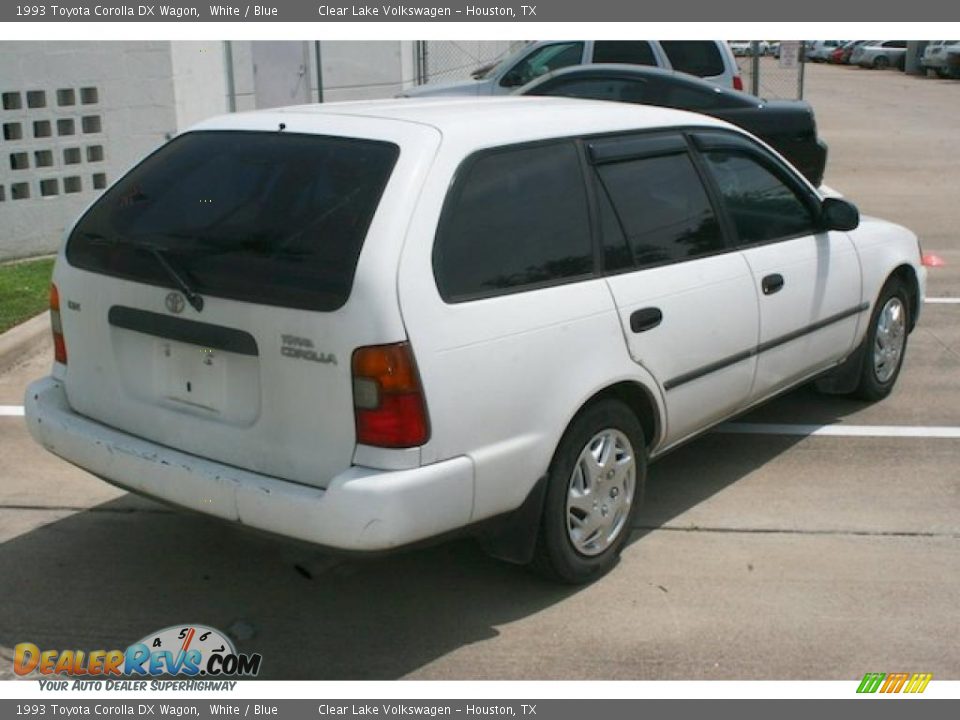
(387, 397)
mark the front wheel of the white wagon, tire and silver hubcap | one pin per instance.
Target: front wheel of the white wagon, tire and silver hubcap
(886, 342)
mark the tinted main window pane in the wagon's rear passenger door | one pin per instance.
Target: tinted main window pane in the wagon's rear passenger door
(663, 208)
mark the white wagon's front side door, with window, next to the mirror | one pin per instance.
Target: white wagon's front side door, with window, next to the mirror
(807, 280)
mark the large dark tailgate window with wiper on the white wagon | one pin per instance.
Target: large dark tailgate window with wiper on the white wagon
(270, 218)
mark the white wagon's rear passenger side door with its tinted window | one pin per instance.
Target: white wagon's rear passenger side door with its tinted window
(685, 298)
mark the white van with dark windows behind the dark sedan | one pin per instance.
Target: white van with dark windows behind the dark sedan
(711, 60)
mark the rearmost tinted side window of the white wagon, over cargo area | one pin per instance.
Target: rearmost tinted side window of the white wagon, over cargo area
(516, 218)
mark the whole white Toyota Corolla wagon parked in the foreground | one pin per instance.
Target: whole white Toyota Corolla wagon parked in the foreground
(368, 325)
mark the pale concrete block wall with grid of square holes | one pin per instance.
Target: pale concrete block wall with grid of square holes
(97, 109)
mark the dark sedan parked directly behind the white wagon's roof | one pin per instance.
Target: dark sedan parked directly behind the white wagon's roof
(788, 126)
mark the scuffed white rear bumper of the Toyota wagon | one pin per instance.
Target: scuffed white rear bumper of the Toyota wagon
(361, 509)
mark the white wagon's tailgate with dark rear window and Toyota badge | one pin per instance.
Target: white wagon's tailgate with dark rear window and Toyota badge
(269, 230)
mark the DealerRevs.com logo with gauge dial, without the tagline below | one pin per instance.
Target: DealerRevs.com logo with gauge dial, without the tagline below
(179, 650)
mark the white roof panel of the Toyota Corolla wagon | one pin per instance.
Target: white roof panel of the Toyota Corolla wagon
(478, 122)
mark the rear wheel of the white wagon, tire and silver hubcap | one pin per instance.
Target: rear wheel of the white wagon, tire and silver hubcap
(581, 538)
